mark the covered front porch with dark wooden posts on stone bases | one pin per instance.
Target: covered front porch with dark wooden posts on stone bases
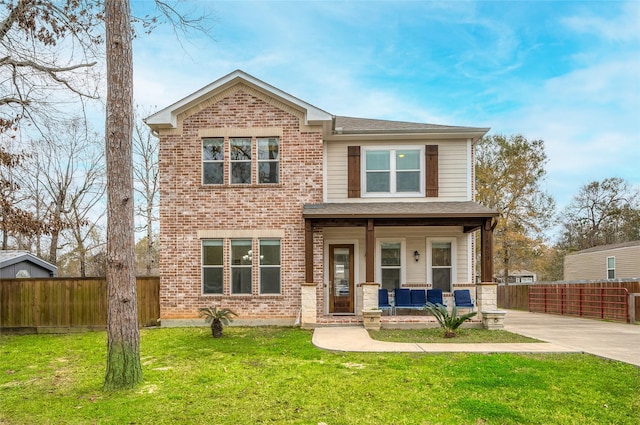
(361, 228)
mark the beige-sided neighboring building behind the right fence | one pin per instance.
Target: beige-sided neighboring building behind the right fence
(617, 261)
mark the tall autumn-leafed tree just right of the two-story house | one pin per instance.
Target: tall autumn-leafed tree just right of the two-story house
(509, 176)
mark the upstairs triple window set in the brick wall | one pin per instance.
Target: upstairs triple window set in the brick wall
(241, 161)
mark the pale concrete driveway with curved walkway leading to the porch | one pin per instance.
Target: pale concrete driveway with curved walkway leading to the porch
(561, 335)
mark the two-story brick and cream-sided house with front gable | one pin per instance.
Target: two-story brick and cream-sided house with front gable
(263, 194)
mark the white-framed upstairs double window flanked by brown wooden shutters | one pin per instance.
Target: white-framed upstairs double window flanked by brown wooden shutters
(399, 171)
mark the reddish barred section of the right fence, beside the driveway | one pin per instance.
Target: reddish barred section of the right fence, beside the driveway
(601, 303)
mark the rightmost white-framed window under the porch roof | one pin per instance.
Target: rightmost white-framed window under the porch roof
(441, 263)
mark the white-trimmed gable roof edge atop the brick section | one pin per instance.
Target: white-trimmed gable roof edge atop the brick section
(168, 117)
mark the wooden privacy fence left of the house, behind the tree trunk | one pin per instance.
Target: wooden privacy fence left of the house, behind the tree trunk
(68, 304)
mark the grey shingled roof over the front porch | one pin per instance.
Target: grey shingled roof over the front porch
(398, 210)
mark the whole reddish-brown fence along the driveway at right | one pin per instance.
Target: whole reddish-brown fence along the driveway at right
(593, 299)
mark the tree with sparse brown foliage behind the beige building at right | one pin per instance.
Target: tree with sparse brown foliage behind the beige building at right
(602, 213)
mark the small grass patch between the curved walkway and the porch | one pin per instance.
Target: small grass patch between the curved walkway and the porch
(463, 335)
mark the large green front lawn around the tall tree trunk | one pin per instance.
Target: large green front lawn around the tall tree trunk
(276, 376)
